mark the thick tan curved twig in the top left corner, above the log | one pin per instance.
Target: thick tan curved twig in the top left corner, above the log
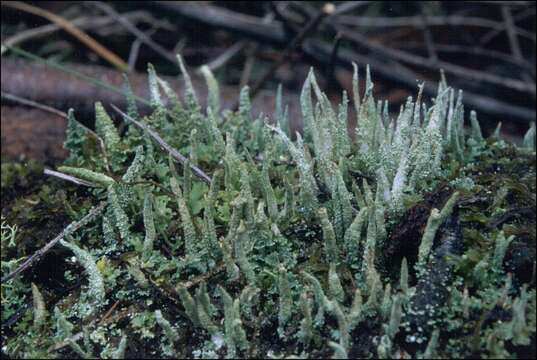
(70, 28)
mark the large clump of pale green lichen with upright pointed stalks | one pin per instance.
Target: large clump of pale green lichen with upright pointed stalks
(415, 239)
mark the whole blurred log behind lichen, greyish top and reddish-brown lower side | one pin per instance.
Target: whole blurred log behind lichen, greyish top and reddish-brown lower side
(40, 135)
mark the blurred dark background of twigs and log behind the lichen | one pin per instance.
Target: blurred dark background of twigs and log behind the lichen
(485, 48)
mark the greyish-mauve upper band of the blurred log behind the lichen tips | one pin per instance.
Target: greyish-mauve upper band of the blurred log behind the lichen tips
(40, 83)
